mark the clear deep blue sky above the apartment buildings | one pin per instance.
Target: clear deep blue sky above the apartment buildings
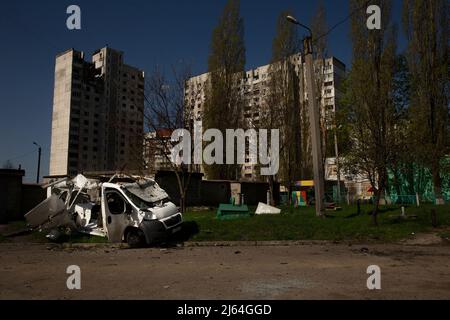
(150, 32)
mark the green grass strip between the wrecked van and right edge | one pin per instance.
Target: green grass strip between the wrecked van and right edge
(302, 224)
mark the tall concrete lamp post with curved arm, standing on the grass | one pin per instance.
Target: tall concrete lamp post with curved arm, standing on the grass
(314, 120)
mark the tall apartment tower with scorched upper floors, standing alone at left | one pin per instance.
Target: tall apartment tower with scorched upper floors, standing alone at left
(97, 122)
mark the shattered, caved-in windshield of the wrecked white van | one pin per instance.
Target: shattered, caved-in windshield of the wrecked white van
(144, 194)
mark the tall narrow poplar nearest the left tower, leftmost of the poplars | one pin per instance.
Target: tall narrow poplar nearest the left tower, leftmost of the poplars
(224, 102)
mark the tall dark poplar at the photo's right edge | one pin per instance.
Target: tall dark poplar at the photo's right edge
(426, 26)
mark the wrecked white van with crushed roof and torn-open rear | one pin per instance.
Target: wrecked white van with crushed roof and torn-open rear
(134, 210)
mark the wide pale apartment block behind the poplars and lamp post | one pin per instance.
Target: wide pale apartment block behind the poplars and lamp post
(255, 88)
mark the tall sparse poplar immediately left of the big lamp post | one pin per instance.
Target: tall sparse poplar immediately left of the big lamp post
(282, 110)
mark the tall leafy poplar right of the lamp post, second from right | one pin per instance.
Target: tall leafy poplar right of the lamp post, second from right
(370, 110)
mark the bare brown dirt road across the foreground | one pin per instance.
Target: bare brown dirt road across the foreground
(325, 271)
